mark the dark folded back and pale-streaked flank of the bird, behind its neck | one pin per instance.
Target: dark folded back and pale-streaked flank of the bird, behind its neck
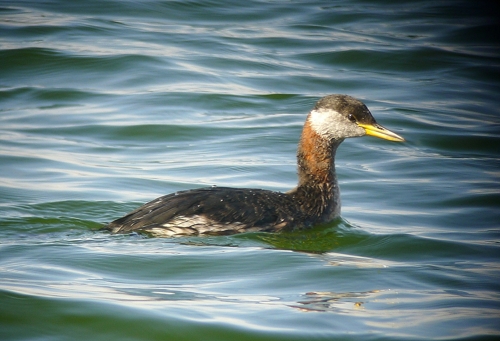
(211, 210)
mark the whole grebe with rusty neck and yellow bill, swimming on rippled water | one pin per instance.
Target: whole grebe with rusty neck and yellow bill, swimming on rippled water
(224, 210)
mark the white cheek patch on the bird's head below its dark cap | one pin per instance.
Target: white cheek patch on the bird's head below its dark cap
(331, 125)
